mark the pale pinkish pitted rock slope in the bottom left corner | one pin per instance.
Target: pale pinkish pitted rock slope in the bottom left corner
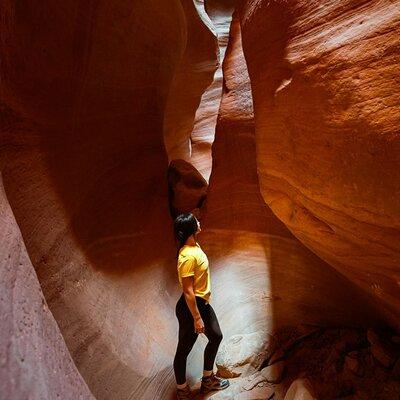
(35, 362)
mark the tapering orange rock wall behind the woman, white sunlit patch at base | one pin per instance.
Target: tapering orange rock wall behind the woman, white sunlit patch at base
(263, 278)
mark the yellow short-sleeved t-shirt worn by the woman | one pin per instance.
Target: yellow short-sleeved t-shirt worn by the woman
(192, 261)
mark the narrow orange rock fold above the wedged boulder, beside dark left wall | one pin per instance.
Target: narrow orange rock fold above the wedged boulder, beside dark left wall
(192, 76)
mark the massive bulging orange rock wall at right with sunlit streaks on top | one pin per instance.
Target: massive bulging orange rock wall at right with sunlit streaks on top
(324, 77)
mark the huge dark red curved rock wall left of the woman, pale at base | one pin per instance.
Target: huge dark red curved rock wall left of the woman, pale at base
(84, 87)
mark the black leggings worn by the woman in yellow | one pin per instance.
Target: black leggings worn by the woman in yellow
(187, 336)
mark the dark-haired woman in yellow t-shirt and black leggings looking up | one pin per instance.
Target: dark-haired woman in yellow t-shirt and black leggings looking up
(193, 310)
